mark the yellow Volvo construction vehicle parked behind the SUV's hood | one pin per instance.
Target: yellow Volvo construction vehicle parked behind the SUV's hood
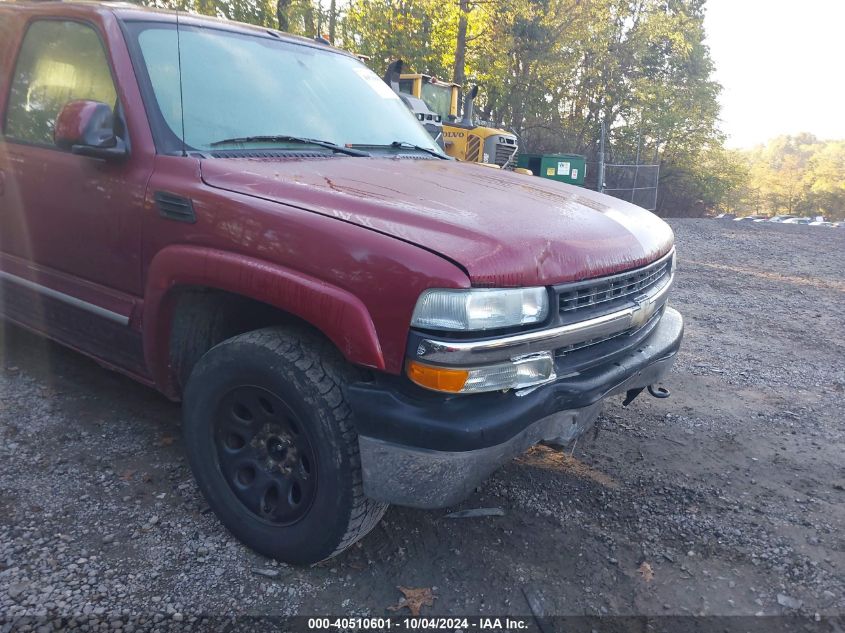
(463, 137)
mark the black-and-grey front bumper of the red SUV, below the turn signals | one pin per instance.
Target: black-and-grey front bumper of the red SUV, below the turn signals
(431, 451)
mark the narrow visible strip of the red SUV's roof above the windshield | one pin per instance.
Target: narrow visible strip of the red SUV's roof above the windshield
(131, 12)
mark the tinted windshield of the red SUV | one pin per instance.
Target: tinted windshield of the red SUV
(237, 86)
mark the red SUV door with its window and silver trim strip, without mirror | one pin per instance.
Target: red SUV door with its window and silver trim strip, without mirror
(70, 226)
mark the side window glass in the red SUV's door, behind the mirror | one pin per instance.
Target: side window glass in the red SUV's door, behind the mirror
(59, 62)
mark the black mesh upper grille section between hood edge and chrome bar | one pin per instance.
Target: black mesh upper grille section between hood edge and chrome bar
(620, 288)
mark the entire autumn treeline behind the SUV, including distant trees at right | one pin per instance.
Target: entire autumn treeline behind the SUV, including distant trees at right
(554, 70)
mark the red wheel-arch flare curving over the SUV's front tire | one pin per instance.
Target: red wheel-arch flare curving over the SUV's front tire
(337, 313)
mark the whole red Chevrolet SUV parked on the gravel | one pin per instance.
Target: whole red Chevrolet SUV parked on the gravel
(254, 224)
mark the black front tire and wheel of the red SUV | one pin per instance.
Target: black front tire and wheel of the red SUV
(270, 440)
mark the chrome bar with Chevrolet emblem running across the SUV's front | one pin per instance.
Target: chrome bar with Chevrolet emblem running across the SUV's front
(469, 353)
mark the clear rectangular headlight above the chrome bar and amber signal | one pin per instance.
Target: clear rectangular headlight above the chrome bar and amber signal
(480, 308)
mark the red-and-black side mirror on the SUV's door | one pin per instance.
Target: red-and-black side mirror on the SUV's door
(87, 128)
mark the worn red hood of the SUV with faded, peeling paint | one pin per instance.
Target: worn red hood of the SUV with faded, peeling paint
(504, 229)
